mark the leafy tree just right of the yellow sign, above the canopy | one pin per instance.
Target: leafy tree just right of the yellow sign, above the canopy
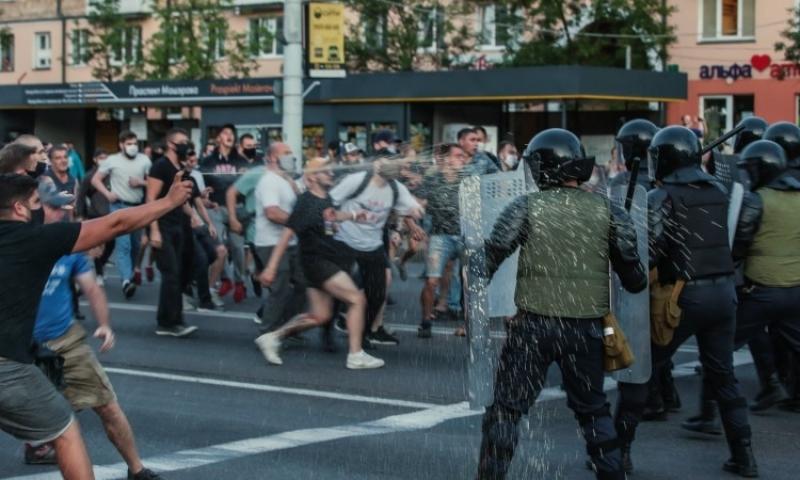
(403, 36)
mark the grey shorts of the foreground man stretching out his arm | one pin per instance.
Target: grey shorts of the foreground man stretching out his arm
(31, 409)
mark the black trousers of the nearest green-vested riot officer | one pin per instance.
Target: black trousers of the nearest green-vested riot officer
(534, 342)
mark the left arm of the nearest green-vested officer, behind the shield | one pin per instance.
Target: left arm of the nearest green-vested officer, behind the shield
(510, 232)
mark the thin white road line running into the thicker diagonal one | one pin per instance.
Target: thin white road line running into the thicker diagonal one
(273, 388)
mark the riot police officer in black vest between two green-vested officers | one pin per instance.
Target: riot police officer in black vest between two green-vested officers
(690, 245)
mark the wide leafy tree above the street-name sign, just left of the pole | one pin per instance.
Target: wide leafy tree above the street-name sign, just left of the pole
(194, 42)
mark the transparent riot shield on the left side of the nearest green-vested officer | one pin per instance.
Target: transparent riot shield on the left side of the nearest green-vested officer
(482, 200)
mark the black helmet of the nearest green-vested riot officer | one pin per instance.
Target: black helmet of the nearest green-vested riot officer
(556, 155)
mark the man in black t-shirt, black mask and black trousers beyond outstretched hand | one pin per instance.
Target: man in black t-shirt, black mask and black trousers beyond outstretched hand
(171, 237)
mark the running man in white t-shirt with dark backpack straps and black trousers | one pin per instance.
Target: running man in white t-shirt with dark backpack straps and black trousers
(378, 193)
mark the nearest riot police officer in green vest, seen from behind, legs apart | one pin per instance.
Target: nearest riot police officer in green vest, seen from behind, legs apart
(567, 237)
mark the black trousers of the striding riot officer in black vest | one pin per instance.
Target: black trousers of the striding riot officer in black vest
(709, 313)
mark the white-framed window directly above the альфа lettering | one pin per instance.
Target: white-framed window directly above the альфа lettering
(727, 19)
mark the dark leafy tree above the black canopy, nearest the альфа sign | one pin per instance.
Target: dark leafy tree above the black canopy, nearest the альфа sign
(570, 32)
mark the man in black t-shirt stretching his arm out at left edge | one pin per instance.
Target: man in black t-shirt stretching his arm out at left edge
(30, 408)
